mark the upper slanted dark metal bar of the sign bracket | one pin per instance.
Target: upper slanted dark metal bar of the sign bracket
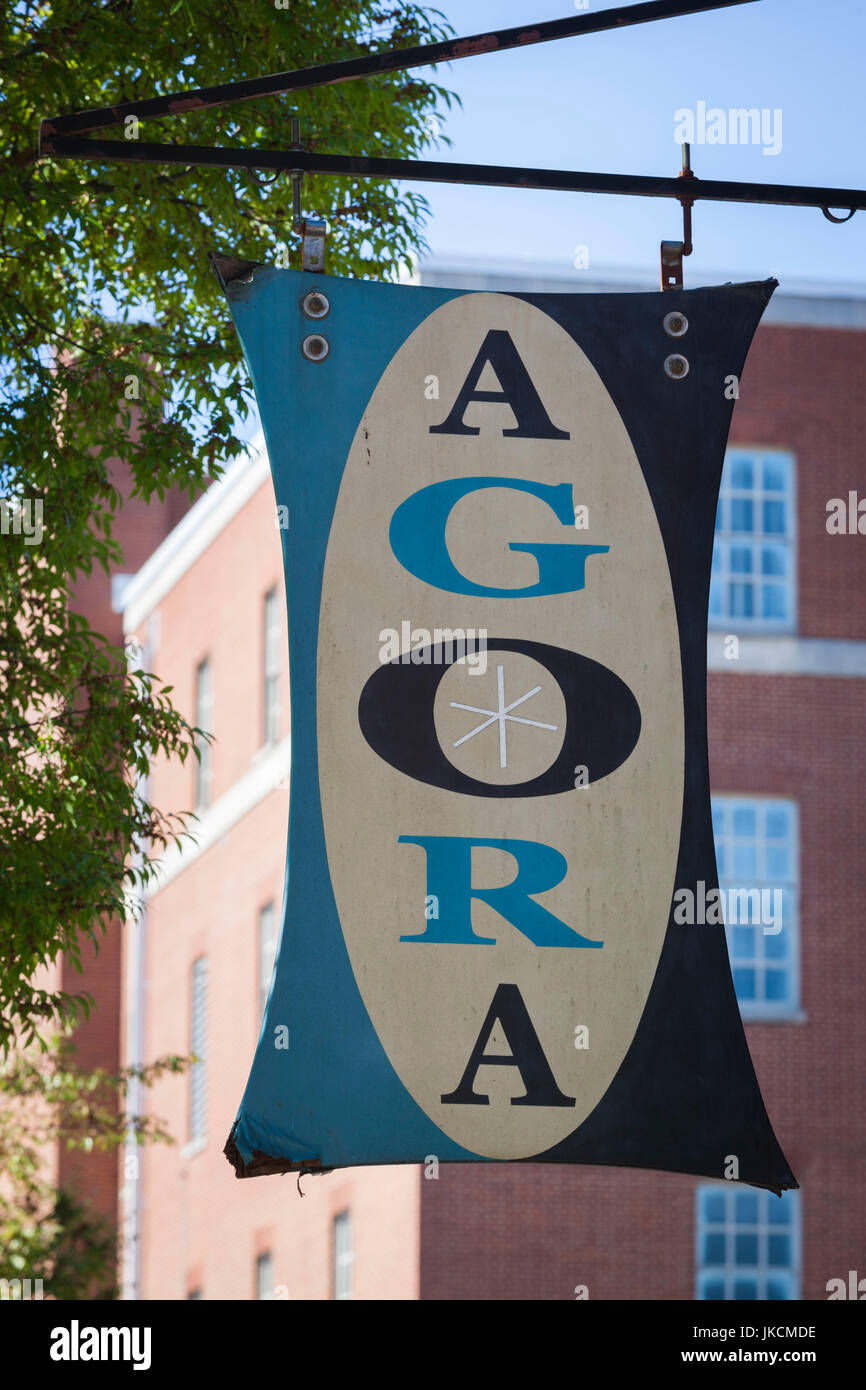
(395, 60)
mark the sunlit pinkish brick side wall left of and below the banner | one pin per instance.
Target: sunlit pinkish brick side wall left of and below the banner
(201, 1227)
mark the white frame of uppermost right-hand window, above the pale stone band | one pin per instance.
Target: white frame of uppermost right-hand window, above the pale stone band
(724, 539)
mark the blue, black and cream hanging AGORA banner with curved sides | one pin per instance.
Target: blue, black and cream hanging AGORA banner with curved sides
(498, 525)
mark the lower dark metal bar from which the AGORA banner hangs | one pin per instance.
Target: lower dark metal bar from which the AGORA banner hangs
(436, 172)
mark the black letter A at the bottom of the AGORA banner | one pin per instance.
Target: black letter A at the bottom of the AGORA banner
(528, 1056)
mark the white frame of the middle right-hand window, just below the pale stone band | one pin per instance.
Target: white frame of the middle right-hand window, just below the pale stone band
(761, 1008)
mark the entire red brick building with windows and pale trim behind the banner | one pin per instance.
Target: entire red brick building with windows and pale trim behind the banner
(787, 707)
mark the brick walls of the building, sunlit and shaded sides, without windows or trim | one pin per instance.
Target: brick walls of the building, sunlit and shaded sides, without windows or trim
(532, 1231)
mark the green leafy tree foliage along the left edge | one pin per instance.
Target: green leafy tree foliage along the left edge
(105, 283)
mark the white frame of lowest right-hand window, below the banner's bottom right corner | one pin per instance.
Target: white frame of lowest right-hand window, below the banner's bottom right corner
(729, 1271)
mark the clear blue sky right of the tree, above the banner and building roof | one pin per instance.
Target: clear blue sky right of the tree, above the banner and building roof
(608, 104)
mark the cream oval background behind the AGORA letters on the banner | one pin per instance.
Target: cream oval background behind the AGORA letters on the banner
(621, 836)
